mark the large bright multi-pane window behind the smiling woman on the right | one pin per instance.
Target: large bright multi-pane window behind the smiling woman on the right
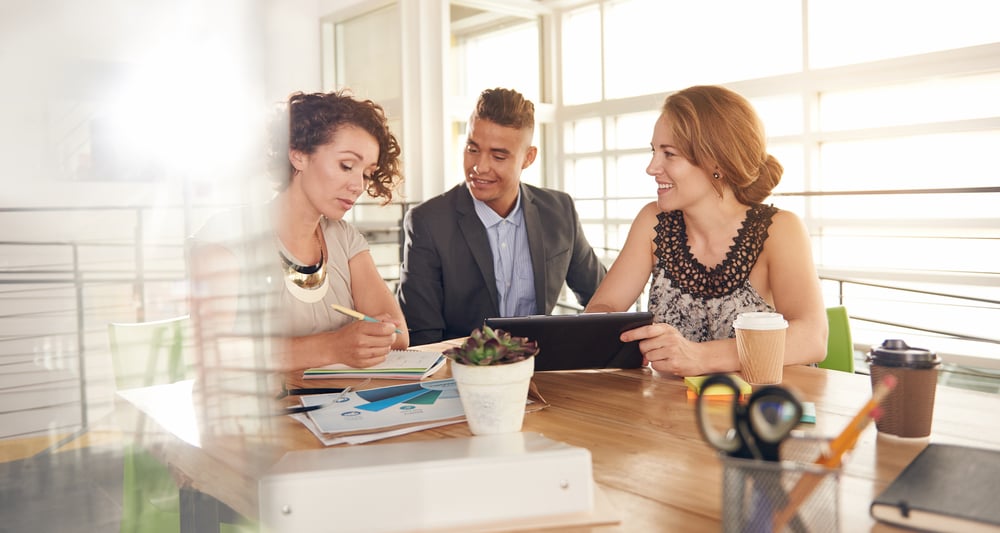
(887, 128)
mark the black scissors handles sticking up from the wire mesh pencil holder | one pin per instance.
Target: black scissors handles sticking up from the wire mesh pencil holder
(751, 431)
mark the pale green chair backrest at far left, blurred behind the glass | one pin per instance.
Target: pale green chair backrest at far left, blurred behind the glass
(150, 353)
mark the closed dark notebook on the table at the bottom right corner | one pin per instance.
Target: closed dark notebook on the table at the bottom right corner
(945, 488)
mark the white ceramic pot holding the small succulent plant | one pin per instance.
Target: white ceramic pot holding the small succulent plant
(494, 396)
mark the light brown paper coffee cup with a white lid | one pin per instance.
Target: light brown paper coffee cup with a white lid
(760, 343)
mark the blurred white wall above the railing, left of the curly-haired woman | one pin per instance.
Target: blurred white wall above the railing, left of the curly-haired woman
(172, 87)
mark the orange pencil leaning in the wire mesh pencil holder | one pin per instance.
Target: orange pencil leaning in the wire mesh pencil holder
(838, 447)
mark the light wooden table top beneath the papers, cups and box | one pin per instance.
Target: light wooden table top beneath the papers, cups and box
(648, 455)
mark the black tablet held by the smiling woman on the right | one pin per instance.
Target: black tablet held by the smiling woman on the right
(575, 342)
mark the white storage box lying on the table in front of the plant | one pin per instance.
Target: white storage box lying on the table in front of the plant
(461, 483)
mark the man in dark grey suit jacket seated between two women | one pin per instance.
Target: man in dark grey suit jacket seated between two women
(492, 246)
